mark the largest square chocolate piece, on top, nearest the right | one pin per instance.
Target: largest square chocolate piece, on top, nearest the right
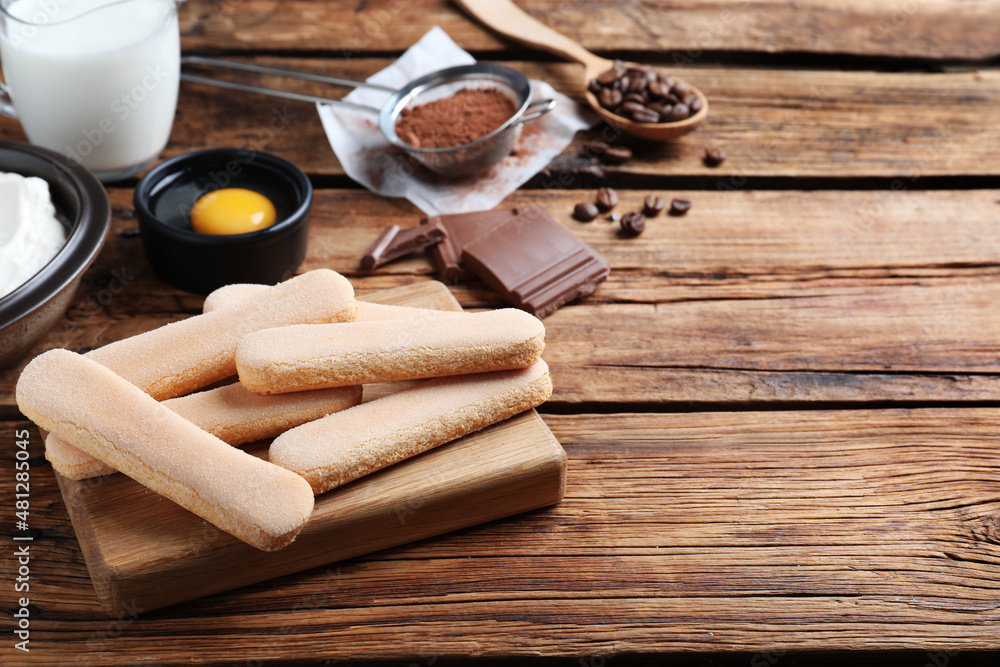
(535, 263)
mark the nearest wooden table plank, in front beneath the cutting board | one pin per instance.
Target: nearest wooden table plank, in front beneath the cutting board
(713, 531)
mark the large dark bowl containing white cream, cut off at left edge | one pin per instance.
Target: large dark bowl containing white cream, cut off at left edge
(28, 312)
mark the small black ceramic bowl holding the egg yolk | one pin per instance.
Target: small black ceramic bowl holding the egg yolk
(203, 262)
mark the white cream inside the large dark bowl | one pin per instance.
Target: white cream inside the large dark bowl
(30, 233)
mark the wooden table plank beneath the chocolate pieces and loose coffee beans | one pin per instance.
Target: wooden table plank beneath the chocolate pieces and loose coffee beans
(752, 297)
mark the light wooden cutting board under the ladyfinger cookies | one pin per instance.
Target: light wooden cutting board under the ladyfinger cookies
(145, 552)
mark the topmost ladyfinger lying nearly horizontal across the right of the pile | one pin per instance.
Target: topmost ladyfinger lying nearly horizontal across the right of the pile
(301, 357)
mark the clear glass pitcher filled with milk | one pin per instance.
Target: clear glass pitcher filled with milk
(94, 80)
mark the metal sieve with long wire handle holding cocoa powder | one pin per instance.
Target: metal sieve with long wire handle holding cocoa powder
(462, 160)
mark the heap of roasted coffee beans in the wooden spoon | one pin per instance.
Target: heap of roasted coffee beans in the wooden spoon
(644, 95)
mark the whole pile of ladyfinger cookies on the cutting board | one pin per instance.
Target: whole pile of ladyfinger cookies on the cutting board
(302, 350)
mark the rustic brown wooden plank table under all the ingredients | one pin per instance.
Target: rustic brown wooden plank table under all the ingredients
(781, 410)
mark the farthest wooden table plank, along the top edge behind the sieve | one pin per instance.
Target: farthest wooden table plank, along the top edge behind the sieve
(681, 29)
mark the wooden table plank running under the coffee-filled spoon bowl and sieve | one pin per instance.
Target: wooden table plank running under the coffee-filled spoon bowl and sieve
(771, 123)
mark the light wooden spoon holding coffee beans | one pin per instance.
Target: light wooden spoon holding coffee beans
(507, 19)
